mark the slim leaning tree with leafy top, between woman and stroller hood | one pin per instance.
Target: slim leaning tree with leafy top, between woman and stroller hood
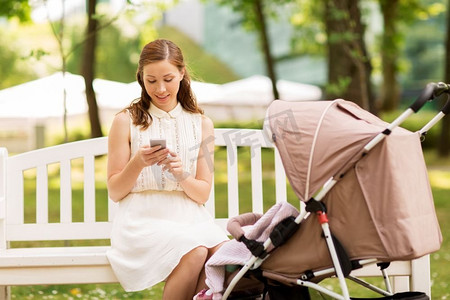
(254, 14)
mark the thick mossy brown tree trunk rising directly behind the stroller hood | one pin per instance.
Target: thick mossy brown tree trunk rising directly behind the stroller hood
(349, 68)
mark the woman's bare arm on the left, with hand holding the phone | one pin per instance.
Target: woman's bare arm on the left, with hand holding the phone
(122, 171)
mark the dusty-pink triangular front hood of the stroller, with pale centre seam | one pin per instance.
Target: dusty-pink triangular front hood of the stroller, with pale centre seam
(316, 138)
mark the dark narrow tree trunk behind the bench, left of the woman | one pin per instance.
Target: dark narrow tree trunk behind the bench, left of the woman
(88, 70)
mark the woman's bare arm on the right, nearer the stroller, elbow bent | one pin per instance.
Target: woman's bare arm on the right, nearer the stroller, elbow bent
(197, 188)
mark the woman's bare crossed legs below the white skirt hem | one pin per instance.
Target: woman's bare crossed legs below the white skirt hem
(182, 282)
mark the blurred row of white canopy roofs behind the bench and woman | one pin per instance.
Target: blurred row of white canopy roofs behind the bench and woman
(43, 98)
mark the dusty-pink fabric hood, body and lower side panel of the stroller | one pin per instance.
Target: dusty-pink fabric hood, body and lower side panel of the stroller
(382, 208)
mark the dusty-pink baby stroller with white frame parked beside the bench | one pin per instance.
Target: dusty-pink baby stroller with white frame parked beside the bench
(367, 183)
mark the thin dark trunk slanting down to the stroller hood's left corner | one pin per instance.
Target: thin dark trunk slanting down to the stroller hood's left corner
(266, 46)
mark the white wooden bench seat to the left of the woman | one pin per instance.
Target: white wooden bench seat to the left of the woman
(57, 265)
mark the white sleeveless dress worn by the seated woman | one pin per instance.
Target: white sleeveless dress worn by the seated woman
(157, 223)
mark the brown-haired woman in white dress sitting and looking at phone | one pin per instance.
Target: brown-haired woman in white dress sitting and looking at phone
(162, 231)
